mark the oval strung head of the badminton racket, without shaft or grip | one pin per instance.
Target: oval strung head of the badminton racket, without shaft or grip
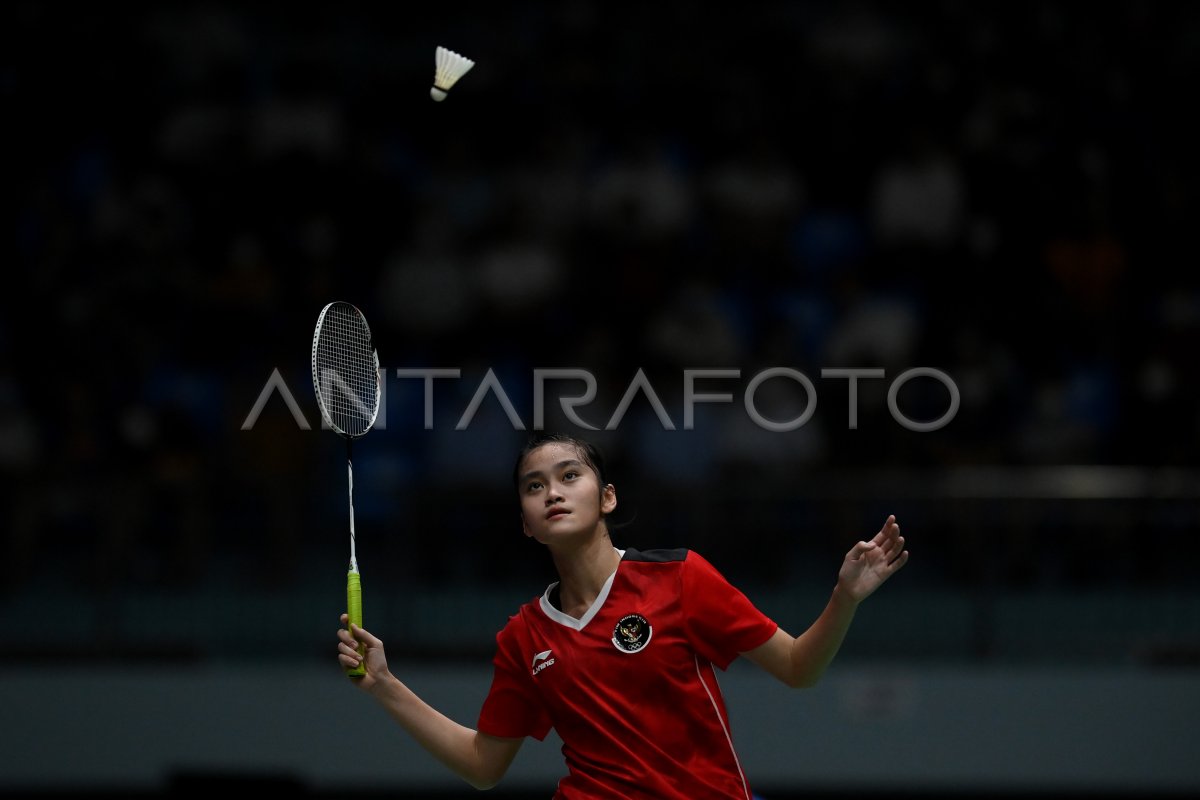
(346, 370)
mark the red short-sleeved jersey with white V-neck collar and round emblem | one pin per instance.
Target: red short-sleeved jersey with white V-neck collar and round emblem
(631, 687)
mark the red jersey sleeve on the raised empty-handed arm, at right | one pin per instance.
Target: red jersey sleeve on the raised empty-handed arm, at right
(722, 622)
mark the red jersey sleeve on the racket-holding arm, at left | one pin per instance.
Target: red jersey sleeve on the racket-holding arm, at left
(512, 708)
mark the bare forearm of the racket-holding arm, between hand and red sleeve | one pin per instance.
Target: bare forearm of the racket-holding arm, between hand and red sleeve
(455, 745)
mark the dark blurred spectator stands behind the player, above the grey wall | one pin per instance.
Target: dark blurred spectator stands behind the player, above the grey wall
(1004, 193)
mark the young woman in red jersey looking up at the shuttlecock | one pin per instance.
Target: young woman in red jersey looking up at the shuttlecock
(619, 657)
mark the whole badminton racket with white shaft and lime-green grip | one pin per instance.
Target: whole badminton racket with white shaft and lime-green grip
(346, 378)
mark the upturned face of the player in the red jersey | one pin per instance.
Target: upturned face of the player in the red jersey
(561, 496)
